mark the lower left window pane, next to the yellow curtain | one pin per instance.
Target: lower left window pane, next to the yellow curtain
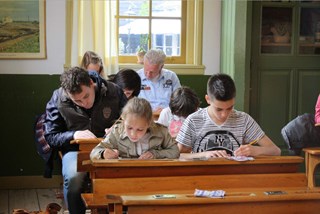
(133, 34)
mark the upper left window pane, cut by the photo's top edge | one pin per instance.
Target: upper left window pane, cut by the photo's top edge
(134, 8)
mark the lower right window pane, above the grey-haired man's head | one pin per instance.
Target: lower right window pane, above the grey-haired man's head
(166, 38)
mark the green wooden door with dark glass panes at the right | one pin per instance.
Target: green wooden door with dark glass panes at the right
(285, 63)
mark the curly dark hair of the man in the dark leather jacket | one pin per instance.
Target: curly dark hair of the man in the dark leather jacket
(73, 79)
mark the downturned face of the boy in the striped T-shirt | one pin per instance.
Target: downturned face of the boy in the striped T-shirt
(219, 111)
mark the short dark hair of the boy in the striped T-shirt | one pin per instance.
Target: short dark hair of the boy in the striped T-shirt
(221, 87)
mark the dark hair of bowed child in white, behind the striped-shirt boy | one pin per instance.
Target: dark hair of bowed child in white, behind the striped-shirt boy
(184, 101)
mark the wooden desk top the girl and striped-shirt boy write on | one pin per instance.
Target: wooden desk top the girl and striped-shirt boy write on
(124, 168)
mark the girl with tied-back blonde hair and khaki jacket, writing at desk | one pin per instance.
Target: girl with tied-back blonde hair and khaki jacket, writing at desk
(136, 136)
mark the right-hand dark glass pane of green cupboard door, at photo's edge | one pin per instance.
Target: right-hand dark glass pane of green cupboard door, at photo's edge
(309, 38)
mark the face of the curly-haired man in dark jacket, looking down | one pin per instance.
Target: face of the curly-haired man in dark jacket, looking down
(86, 97)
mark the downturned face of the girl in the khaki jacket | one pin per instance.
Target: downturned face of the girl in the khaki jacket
(135, 127)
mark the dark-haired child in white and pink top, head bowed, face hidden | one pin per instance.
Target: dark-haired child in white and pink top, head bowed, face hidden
(183, 102)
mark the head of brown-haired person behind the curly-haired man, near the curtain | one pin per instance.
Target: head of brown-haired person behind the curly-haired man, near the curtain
(91, 61)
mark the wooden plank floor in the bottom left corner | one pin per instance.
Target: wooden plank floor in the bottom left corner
(30, 200)
